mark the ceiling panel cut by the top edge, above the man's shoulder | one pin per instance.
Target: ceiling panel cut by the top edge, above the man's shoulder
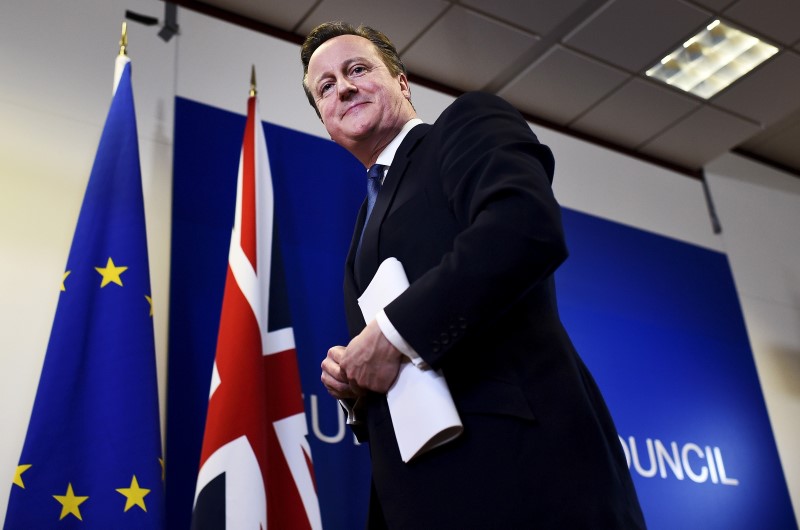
(538, 16)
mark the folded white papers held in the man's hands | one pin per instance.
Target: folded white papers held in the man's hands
(422, 409)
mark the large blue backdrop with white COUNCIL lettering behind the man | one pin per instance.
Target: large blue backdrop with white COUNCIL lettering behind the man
(657, 321)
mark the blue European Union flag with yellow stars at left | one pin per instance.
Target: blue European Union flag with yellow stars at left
(92, 454)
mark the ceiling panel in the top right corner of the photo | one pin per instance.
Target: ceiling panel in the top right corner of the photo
(777, 19)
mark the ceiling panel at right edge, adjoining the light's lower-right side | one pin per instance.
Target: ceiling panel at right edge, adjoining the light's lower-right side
(767, 93)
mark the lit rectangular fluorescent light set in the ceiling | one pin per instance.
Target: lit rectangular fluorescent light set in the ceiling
(712, 60)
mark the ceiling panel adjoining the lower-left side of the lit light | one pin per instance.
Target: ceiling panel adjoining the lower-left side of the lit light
(635, 113)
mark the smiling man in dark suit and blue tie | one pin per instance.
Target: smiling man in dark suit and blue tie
(466, 206)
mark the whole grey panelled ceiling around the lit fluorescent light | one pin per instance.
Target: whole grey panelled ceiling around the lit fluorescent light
(578, 65)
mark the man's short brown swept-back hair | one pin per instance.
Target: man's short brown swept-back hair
(329, 30)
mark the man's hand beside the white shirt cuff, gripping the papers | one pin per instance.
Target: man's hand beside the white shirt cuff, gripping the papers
(370, 361)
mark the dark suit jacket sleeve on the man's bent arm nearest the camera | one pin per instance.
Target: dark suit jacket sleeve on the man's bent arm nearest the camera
(496, 178)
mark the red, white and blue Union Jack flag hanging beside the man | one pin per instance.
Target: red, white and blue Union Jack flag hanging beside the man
(255, 466)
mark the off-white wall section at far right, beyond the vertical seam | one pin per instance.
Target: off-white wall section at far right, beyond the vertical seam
(759, 209)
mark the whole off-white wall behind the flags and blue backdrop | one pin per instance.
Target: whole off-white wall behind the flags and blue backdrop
(56, 64)
